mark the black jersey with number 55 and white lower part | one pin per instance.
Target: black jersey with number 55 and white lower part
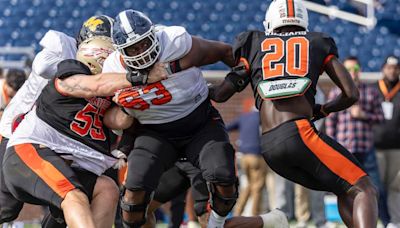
(72, 127)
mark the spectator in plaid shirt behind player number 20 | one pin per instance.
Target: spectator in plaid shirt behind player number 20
(352, 128)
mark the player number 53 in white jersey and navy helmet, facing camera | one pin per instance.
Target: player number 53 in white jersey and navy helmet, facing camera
(175, 115)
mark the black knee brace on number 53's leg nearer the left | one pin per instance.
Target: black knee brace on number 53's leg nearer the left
(131, 207)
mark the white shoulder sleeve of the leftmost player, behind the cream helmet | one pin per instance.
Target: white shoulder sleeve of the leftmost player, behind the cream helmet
(56, 47)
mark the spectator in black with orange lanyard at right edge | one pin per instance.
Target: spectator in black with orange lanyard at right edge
(387, 135)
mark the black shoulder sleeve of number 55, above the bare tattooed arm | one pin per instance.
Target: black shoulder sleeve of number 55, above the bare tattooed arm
(70, 67)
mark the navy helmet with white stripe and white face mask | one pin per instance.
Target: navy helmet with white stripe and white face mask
(130, 28)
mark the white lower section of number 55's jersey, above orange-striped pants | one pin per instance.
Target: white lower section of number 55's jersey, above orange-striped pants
(34, 130)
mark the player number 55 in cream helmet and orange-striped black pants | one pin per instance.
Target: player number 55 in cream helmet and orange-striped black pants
(58, 153)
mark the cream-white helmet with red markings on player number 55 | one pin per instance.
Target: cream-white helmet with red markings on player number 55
(94, 51)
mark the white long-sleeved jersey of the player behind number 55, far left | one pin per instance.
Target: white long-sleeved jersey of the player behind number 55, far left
(56, 47)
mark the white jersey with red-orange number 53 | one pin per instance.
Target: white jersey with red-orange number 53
(170, 99)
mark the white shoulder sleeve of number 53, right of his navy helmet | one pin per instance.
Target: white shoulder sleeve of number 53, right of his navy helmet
(175, 43)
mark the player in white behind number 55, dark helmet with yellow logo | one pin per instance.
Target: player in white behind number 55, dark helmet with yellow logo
(56, 47)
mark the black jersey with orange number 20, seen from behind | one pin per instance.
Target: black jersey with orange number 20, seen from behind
(284, 55)
